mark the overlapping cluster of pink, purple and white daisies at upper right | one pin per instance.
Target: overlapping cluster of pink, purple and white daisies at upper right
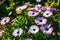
(47, 11)
